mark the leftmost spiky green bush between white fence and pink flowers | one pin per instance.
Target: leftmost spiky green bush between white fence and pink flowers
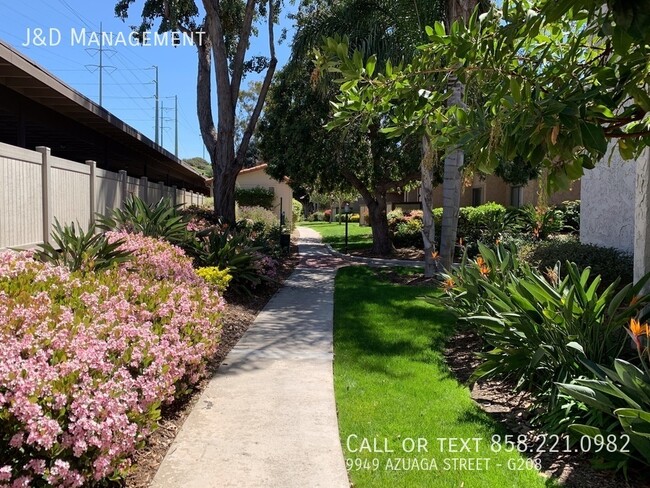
(81, 251)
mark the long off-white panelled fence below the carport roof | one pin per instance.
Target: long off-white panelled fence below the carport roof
(36, 188)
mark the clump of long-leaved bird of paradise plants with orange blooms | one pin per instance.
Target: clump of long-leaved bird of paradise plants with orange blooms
(565, 338)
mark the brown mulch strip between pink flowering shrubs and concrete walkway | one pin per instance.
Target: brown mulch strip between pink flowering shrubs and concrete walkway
(239, 315)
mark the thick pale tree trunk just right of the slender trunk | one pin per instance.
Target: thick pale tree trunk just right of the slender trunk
(451, 187)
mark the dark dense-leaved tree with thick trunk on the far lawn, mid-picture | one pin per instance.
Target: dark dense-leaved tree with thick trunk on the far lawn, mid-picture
(294, 143)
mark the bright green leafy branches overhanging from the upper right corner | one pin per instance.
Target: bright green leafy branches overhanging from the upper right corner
(548, 83)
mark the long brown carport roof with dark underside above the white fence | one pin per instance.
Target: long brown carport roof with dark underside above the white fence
(64, 119)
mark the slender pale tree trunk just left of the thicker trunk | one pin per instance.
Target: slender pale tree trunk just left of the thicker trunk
(428, 224)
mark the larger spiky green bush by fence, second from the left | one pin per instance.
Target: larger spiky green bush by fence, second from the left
(162, 220)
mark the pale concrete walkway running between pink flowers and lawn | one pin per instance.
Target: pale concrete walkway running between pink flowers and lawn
(268, 418)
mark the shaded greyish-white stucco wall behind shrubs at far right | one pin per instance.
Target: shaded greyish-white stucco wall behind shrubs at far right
(607, 204)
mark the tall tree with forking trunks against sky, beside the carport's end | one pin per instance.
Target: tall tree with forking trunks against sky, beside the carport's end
(221, 33)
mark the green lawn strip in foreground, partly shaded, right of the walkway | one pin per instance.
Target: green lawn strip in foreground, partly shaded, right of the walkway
(394, 392)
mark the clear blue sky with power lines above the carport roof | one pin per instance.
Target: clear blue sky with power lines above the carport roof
(128, 79)
